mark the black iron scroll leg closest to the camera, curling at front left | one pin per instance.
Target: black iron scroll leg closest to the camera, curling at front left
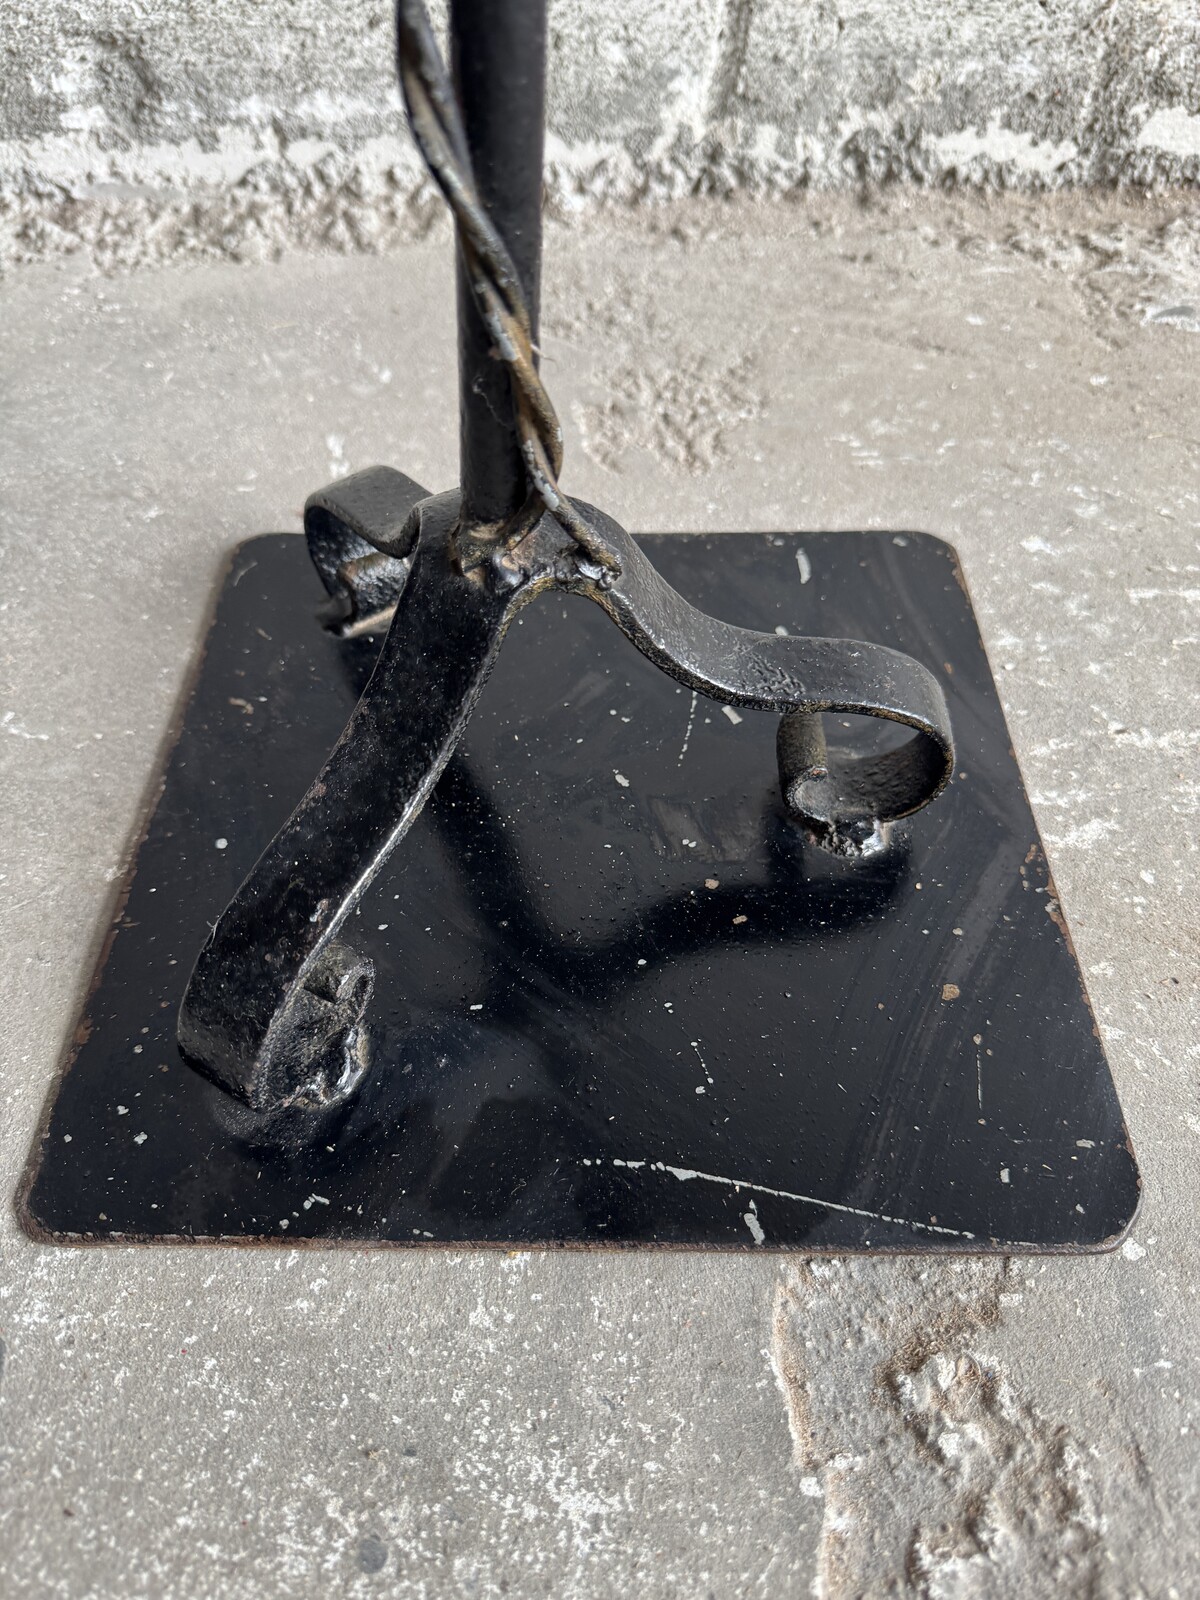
(274, 1007)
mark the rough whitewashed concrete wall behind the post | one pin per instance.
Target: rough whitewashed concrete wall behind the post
(146, 130)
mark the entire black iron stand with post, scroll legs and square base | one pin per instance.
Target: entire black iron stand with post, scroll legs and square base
(334, 1058)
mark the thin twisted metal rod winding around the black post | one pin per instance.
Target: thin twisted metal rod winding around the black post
(438, 127)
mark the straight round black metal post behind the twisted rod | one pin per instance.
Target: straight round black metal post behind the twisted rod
(498, 62)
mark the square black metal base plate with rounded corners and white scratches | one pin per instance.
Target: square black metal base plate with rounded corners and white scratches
(620, 999)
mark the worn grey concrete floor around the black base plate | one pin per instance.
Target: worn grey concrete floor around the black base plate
(214, 1423)
